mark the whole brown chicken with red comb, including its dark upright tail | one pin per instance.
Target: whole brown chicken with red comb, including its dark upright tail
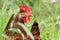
(22, 17)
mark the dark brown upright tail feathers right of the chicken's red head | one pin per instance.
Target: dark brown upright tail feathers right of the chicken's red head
(35, 31)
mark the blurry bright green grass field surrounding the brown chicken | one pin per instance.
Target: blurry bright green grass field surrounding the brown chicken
(46, 13)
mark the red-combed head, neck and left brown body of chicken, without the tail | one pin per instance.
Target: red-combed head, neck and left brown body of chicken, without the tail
(23, 17)
